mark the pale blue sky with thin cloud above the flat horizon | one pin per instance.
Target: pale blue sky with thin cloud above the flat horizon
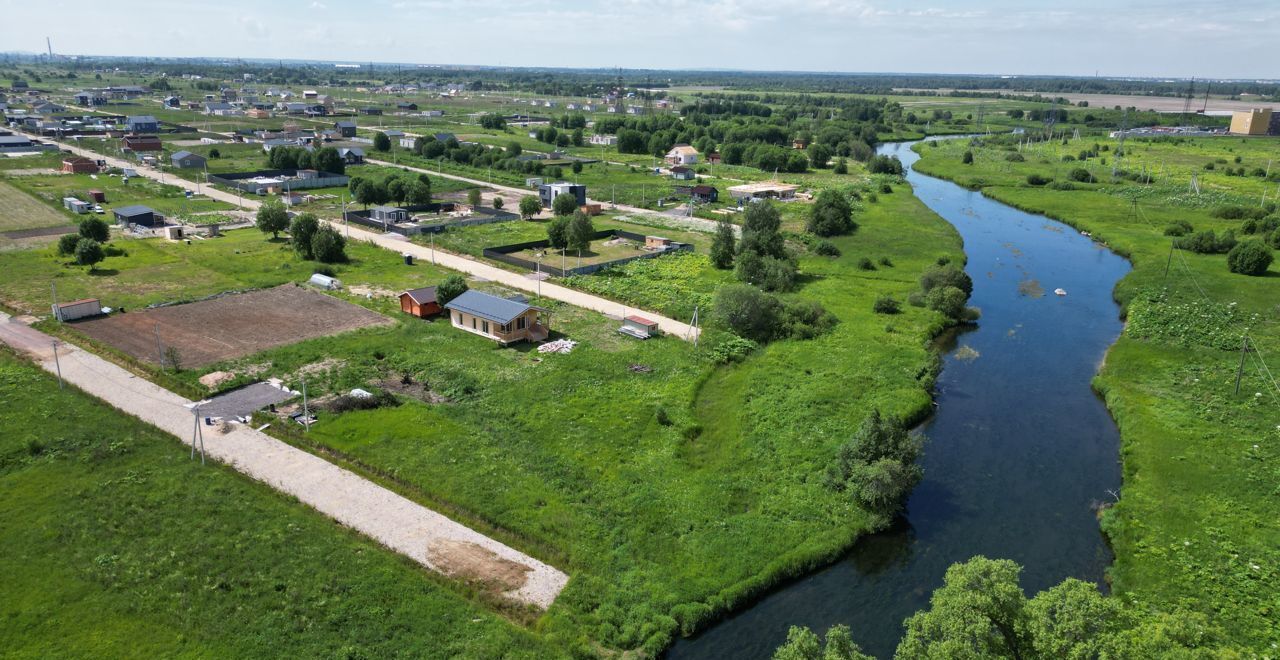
(1237, 39)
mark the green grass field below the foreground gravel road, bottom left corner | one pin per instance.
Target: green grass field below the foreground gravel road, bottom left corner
(116, 544)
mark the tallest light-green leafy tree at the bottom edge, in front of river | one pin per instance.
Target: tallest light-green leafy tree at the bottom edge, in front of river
(980, 612)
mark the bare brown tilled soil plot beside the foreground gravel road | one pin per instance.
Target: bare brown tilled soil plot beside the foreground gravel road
(231, 327)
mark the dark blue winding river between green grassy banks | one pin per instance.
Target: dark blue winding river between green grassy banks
(1018, 455)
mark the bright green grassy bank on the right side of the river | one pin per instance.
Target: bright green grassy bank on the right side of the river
(1197, 522)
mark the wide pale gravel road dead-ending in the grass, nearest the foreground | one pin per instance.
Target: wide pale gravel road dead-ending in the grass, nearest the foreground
(391, 520)
